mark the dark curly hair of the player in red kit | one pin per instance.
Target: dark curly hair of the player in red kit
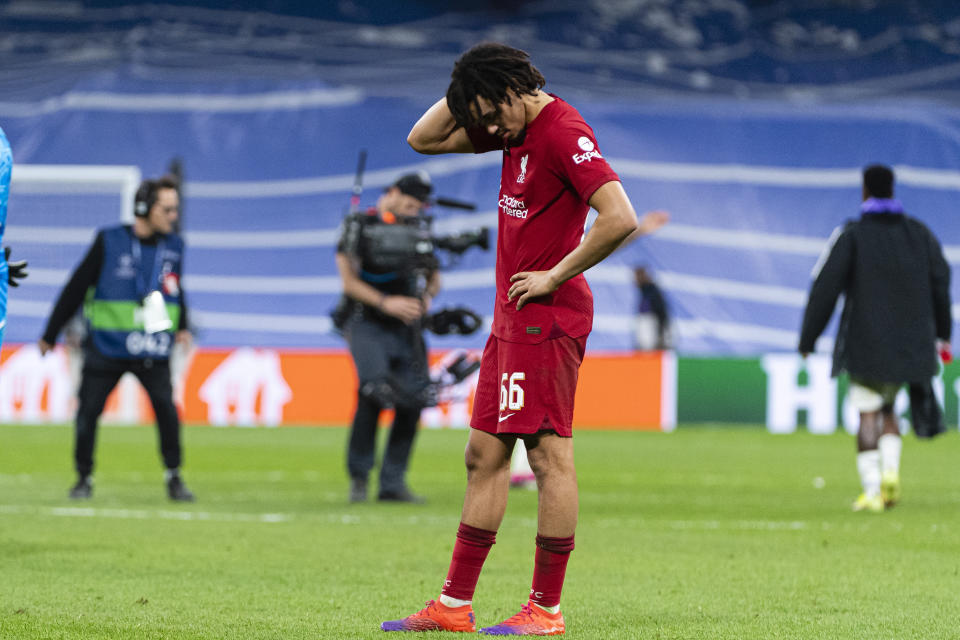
(486, 71)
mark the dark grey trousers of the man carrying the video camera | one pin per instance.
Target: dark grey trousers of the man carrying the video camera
(391, 364)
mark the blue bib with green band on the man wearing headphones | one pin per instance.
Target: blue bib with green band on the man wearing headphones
(113, 306)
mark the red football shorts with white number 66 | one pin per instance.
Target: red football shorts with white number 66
(524, 388)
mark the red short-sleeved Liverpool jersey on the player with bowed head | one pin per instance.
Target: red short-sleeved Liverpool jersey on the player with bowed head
(545, 185)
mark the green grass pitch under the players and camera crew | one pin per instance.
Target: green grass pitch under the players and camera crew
(703, 533)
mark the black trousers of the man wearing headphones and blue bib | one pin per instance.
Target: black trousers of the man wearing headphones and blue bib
(100, 375)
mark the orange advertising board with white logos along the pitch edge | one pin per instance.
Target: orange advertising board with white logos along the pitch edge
(268, 387)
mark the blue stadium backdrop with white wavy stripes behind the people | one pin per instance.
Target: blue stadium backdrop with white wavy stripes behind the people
(749, 125)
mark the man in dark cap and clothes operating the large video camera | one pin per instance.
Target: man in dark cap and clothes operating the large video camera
(386, 295)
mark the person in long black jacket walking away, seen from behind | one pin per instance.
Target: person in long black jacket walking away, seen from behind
(896, 283)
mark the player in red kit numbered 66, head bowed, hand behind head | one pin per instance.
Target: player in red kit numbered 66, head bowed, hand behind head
(553, 172)
